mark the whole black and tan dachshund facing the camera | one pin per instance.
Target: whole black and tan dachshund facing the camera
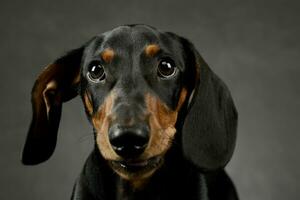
(164, 124)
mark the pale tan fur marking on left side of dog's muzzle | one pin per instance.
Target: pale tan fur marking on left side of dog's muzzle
(101, 121)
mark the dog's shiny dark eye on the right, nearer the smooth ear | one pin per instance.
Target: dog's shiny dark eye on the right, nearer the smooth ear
(166, 68)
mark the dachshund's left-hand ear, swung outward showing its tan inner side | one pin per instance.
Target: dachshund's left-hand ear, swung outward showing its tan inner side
(55, 85)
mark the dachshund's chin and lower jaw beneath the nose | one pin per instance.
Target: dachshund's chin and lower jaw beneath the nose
(136, 169)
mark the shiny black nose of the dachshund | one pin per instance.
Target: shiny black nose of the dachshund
(129, 142)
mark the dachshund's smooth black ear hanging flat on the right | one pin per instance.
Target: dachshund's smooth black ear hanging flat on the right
(209, 130)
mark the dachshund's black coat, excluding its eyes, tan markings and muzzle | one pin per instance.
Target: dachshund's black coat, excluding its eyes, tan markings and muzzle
(206, 125)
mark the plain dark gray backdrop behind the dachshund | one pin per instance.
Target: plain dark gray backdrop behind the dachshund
(253, 45)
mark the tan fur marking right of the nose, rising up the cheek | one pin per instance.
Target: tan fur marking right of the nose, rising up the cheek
(162, 124)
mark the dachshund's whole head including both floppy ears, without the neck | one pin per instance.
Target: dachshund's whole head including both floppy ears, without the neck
(140, 87)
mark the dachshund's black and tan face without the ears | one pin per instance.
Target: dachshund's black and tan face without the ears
(133, 89)
